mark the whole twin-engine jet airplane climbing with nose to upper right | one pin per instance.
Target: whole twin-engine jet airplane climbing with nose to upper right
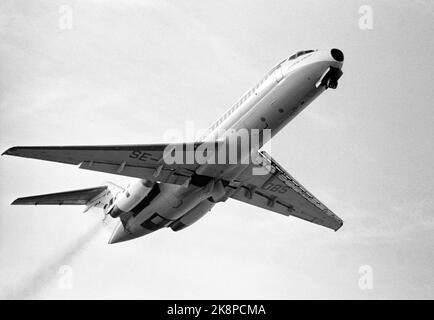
(176, 195)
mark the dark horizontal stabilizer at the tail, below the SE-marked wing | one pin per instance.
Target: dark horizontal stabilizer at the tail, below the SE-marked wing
(76, 197)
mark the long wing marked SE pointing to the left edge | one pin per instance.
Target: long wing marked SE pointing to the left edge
(140, 161)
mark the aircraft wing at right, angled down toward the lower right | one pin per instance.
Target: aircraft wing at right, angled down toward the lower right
(279, 192)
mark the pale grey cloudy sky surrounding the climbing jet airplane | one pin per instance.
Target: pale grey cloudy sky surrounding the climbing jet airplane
(132, 71)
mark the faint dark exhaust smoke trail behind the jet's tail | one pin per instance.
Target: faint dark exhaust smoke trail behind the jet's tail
(49, 272)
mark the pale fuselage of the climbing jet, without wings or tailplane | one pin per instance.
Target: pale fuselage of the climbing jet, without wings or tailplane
(283, 93)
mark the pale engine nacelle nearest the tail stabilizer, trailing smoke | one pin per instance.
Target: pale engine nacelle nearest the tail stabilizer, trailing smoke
(125, 201)
